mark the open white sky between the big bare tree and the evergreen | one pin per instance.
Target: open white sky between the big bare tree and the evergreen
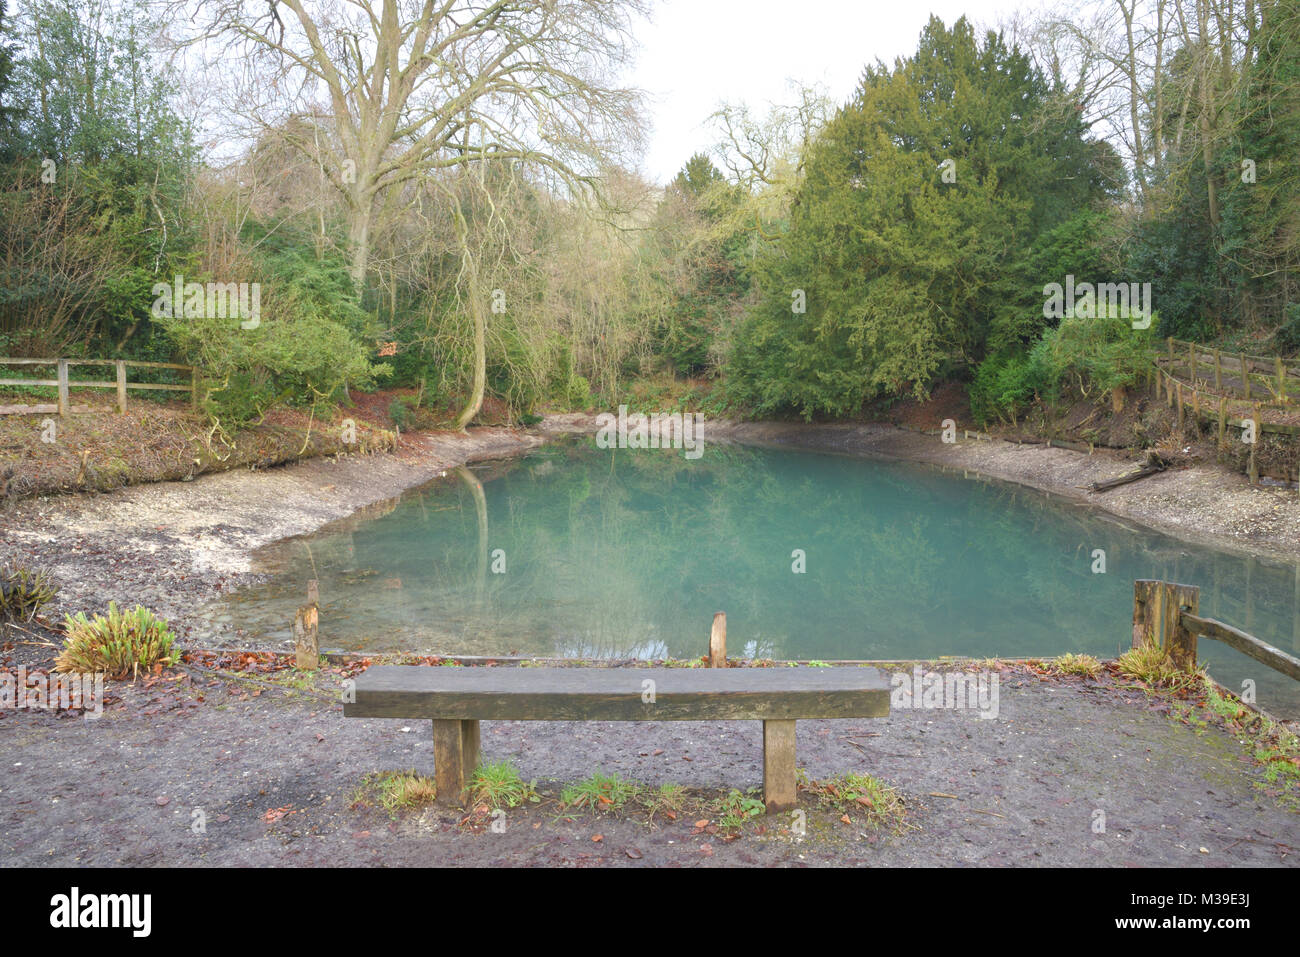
(697, 54)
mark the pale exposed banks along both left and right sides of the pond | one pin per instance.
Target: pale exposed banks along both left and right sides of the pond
(175, 545)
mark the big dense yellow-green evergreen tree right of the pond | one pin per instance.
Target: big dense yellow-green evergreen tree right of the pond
(904, 269)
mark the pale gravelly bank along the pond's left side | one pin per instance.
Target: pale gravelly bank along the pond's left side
(171, 545)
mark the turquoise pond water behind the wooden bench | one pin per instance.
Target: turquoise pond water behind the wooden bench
(626, 553)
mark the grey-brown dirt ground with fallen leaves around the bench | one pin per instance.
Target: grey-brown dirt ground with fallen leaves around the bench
(275, 776)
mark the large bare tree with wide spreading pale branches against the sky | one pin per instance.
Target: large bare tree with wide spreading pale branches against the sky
(395, 90)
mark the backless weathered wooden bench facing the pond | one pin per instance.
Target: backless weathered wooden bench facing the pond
(458, 699)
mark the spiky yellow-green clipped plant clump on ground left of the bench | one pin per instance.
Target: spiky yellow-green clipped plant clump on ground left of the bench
(118, 646)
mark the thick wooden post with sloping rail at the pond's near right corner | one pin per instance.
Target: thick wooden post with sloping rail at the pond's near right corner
(1167, 614)
